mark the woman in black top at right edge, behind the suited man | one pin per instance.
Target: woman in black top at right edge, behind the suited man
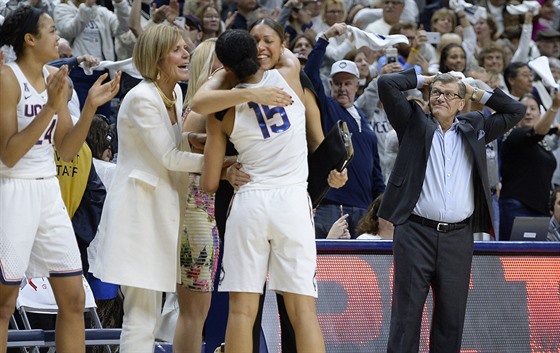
(527, 166)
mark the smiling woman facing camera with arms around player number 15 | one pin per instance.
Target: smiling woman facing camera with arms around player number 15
(270, 45)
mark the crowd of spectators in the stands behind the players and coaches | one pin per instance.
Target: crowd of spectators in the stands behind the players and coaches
(489, 43)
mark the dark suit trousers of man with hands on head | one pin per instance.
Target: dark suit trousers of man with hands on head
(425, 258)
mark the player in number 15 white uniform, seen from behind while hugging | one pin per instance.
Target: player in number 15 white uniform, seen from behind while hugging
(276, 184)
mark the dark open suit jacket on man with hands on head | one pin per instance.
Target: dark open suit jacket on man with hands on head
(415, 131)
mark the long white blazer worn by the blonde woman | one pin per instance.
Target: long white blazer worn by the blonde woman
(138, 236)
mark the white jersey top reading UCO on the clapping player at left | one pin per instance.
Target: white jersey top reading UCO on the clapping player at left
(38, 162)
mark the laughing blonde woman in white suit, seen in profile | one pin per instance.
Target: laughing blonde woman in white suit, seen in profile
(139, 230)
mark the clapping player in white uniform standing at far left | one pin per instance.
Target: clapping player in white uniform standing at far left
(40, 242)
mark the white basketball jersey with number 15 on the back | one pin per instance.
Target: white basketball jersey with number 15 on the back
(270, 140)
